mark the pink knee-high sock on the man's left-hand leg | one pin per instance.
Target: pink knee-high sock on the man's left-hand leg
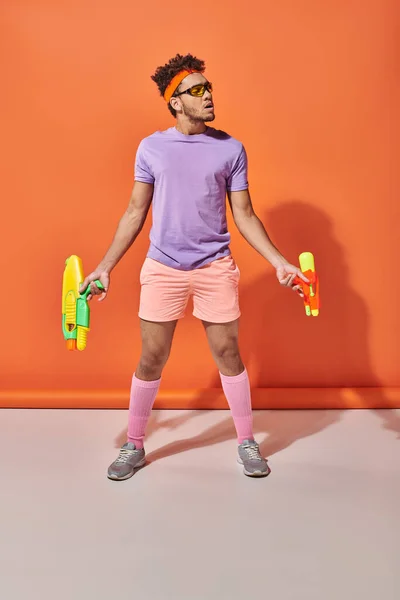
(143, 394)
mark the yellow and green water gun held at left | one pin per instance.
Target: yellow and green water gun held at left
(75, 306)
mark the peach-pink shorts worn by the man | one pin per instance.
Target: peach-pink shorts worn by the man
(165, 291)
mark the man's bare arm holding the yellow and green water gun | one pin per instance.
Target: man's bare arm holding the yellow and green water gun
(129, 227)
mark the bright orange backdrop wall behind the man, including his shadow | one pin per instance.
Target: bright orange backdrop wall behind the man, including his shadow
(312, 90)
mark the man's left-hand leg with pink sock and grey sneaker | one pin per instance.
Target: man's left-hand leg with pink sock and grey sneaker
(156, 346)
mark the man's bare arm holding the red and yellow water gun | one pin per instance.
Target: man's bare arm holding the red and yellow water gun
(255, 234)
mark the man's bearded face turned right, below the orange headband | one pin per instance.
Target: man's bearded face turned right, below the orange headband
(196, 108)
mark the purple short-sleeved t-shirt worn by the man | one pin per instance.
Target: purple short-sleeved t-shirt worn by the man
(191, 175)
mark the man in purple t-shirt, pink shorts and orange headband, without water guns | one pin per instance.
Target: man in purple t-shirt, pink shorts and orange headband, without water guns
(186, 172)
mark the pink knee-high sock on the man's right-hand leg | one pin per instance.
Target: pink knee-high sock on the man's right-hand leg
(237, 392)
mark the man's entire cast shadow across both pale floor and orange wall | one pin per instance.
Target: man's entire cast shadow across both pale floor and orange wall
(287, 349)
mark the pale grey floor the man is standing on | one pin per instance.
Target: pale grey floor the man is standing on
(324, 525)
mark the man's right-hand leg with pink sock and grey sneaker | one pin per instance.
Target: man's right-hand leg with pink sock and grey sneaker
(223, 341)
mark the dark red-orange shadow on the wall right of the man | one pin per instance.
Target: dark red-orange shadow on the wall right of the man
(285, 346)
